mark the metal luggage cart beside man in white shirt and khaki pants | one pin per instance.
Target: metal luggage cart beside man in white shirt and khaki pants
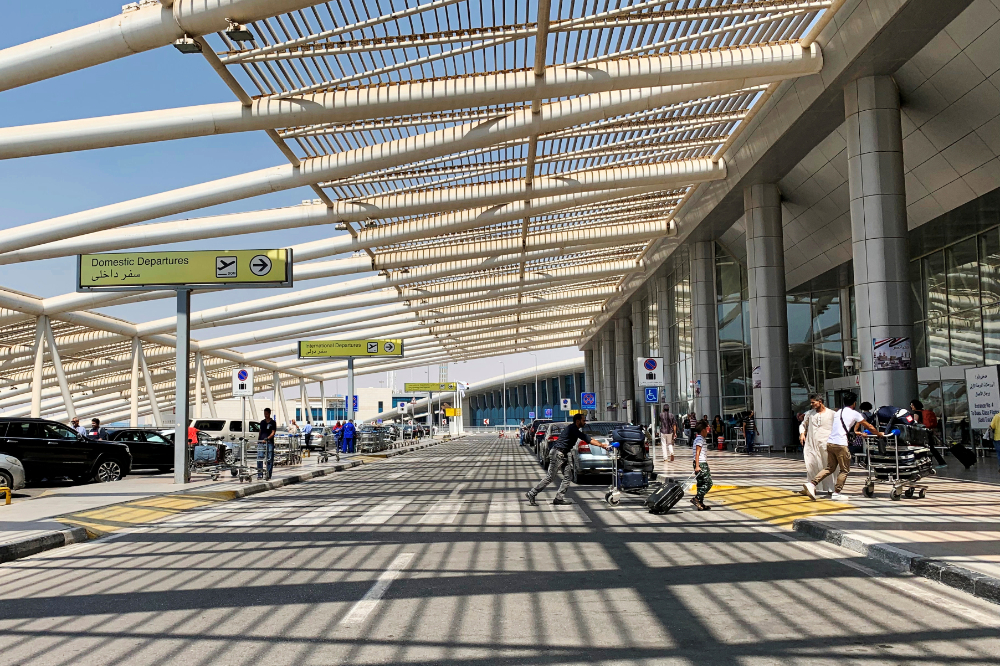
(898, 464)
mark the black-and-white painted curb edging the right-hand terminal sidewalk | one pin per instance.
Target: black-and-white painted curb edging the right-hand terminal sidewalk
(971, 582)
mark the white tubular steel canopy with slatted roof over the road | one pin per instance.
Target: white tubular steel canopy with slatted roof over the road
(489, 172)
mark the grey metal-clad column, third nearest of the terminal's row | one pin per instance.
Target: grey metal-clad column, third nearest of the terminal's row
(706, 335)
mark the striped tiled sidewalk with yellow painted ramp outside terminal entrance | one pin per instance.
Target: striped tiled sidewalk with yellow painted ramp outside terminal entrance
(957, 523)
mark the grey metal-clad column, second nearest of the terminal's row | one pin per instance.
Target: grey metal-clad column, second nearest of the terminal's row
(768, 314)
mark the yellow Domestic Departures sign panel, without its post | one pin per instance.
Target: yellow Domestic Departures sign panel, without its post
(126, 271)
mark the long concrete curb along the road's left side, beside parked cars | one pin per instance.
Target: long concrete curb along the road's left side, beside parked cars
(16, 550)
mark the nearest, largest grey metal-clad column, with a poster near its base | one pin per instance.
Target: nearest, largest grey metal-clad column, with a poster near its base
(879, 233)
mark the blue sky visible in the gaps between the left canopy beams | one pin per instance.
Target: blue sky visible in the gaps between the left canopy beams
(39, 188)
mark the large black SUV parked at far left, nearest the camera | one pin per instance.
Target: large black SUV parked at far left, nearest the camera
(48, 449)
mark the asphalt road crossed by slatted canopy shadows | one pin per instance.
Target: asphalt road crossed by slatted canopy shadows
(435, 558)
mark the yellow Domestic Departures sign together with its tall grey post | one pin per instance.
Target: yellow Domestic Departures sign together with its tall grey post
(183, 271)
